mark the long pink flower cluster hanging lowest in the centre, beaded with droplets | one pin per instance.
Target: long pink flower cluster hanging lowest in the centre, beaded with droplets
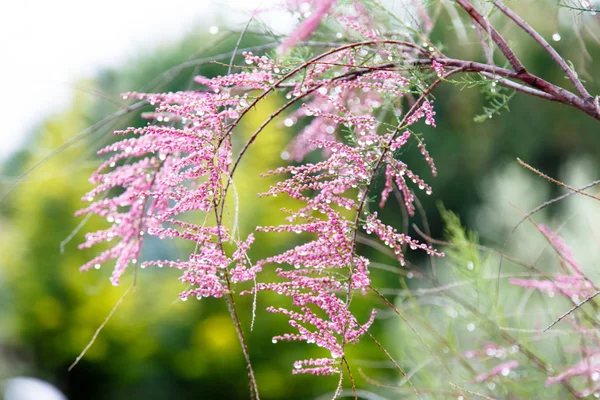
(326, 268)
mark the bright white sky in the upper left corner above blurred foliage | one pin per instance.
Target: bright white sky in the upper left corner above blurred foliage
(47, 46)
